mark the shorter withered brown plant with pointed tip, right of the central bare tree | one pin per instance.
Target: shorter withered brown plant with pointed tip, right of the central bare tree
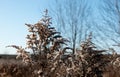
(92, 60)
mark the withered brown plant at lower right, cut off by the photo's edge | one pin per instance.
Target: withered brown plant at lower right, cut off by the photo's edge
(113, 67)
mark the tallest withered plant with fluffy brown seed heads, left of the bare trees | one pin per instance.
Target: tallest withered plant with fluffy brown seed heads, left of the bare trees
(46, 45)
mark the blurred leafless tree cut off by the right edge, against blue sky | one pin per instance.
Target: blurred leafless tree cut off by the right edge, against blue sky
(110, 12)
